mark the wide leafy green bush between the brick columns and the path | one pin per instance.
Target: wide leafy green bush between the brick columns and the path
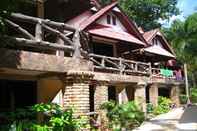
(123, 115)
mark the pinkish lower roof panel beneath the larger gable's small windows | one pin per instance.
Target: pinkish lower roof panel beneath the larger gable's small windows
(118, 35)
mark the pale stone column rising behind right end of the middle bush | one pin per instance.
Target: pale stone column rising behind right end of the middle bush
(140, 95)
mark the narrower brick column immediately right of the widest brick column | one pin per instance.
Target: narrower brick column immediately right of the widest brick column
(100, 96)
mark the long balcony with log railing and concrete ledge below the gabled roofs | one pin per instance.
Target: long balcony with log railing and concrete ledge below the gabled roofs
(127, 71)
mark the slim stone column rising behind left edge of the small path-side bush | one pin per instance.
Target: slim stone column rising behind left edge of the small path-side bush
(153, 94)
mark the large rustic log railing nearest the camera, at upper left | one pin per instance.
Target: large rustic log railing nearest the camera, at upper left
(43, 27)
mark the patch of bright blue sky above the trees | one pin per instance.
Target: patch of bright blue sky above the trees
(187, 7)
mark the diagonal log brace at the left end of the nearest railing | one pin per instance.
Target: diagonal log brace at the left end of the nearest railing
(20, 29)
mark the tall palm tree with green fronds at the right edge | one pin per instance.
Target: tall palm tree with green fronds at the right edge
(183, 37)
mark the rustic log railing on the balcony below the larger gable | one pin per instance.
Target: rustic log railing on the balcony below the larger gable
(119, 65)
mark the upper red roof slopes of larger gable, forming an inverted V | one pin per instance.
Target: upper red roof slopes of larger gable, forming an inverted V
(92, 17)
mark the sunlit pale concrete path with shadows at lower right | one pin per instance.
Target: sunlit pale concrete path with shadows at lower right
(176, 120)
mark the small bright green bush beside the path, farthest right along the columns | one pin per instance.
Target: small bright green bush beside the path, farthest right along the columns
(163, 106)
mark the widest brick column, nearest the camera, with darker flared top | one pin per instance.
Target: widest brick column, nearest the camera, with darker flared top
(76, 92)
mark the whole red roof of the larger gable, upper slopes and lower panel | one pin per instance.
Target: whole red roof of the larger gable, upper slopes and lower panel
(87, 20)
